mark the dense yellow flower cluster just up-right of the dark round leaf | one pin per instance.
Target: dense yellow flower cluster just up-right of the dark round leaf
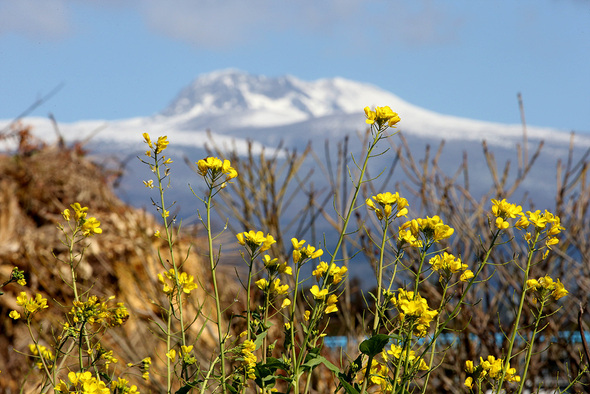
(414, 309)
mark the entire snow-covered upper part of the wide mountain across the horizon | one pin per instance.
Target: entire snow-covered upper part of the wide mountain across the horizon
(239, 107)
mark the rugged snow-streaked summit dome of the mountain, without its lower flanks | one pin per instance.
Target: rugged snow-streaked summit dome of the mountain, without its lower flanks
(286, 97)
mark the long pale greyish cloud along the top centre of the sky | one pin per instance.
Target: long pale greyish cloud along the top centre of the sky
(220, 24)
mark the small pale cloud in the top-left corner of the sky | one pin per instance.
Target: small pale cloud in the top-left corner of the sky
(36, 19)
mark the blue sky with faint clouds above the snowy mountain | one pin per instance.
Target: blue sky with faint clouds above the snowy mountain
(120, 59)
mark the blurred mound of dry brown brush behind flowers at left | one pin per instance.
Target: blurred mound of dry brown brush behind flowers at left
(36, 185)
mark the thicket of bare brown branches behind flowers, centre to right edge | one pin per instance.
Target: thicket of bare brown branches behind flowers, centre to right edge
(268, 185)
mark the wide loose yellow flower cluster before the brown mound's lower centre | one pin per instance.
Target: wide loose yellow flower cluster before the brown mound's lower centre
(95, 311)
